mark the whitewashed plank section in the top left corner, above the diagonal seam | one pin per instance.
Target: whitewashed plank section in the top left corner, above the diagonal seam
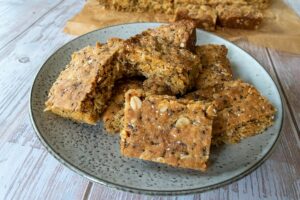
(18, 15)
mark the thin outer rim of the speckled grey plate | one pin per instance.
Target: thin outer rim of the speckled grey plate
(89, 176)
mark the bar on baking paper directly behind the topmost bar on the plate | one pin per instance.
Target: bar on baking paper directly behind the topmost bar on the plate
(204, 17)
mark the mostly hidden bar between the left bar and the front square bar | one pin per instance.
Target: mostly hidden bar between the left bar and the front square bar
(114, 113)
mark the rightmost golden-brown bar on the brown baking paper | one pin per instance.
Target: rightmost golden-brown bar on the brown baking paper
(242, 17)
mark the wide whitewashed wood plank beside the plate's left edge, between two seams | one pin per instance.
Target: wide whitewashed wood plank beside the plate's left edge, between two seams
(28, 171)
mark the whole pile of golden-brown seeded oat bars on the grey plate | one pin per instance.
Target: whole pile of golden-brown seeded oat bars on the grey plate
(170, 99)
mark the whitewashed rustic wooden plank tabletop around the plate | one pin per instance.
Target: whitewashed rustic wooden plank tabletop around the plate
(30, 31)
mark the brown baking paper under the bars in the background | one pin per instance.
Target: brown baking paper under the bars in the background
(280, 29)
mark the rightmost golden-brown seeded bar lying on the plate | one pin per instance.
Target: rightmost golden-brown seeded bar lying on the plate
(241, 111)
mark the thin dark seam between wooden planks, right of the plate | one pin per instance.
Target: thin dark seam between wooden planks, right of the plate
(284, 94)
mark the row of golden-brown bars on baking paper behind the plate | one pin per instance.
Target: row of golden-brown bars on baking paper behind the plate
(242, 14)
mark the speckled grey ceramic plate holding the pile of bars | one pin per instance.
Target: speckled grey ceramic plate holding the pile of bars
(92, 153)
